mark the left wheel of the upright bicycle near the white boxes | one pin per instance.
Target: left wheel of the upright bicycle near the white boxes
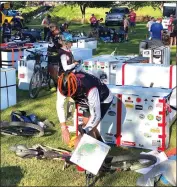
(35, 84)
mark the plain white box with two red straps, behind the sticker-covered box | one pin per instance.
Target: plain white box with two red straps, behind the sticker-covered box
(162, 76)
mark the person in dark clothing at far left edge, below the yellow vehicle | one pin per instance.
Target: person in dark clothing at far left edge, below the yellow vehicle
(6, 33)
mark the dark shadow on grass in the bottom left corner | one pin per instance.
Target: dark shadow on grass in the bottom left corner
(11, 176)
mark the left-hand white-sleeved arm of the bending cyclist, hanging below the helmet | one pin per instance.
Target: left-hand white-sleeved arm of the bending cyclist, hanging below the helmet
(60, 108)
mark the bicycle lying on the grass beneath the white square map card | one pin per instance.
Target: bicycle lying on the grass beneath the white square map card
(111, 163)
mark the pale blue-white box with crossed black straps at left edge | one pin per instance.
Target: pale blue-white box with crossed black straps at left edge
(8, 88)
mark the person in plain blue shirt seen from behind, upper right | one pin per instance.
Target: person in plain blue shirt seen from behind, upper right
(157, 30)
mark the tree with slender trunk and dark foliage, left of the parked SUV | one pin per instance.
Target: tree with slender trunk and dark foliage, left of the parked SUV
(92, 4)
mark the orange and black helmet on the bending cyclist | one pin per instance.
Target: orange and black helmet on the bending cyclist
(67, 84)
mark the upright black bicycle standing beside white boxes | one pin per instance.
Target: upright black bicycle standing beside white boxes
(41, 76)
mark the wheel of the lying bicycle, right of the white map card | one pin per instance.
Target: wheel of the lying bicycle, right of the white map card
(129, 162)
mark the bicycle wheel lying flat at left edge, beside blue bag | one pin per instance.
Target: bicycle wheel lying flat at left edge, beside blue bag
(21, 129)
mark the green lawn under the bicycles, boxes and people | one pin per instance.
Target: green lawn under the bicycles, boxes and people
(32, 172)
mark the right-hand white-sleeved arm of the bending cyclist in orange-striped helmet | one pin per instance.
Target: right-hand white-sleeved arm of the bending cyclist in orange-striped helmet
(95, 109)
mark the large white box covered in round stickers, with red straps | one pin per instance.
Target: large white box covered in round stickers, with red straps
(138, 117)
